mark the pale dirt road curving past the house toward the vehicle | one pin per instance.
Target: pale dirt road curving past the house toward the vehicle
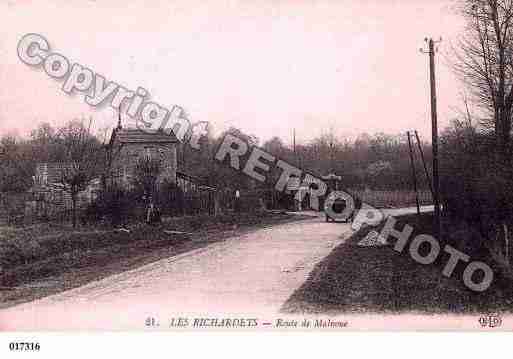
(248, 275)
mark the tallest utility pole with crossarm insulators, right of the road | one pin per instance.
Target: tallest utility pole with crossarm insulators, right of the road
(434, 137)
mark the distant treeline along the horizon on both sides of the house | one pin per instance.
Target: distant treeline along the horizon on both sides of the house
(378, 162)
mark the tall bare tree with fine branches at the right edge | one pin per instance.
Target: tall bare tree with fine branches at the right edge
(484, 61)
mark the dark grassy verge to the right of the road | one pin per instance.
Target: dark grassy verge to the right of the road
(379, 279)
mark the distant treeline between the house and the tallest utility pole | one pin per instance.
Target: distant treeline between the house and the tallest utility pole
(376, 162)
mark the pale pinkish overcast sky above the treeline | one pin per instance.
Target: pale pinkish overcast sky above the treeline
(263, 66)
